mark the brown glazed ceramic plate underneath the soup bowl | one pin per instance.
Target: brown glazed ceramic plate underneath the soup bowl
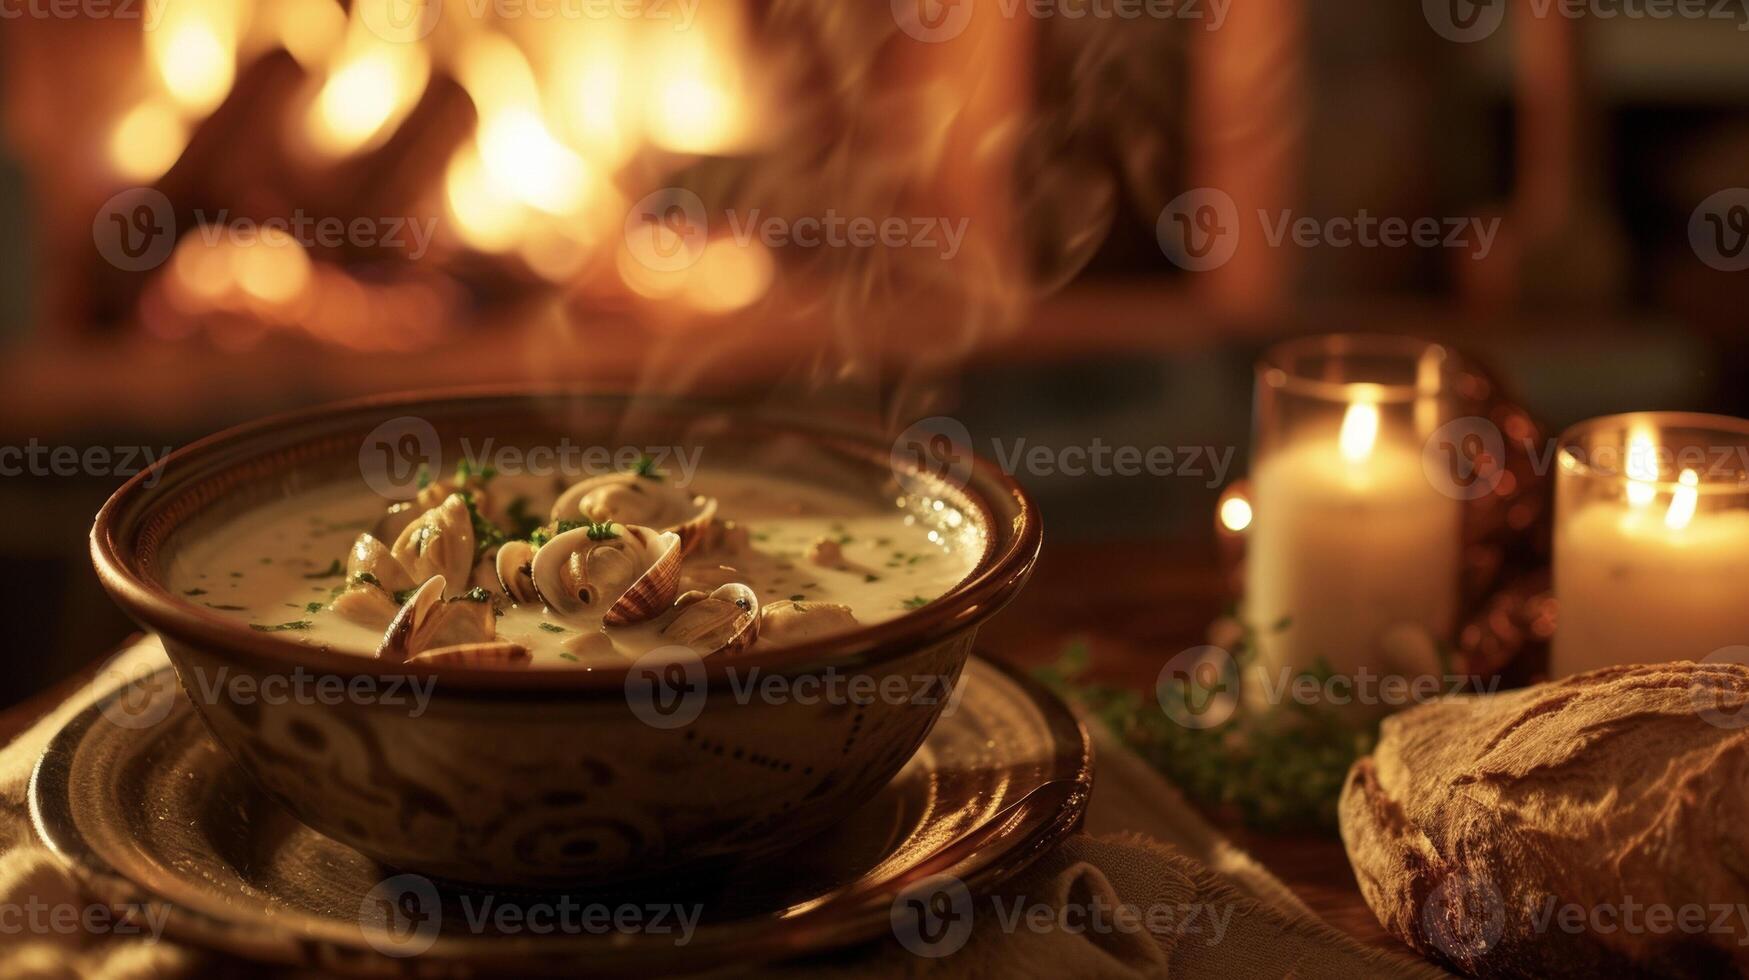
(160, 820)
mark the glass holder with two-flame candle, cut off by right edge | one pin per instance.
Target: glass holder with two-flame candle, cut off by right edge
(1652, 540)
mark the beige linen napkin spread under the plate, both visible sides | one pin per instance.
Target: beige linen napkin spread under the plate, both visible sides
(1148, 890)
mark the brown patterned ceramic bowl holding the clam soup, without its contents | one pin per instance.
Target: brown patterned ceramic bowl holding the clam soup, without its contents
(554, 776)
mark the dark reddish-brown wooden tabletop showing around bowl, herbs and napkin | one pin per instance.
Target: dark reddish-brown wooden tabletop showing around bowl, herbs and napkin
(1153, 601)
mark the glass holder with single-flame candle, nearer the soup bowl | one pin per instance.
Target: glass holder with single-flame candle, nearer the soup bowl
(1355, 557)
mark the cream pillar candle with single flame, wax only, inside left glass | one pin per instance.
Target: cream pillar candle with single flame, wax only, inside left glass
(1351, 547)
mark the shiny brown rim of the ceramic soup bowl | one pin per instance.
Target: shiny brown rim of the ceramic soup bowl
(1012, 519)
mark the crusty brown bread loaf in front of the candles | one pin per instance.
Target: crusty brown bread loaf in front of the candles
(1592, 827)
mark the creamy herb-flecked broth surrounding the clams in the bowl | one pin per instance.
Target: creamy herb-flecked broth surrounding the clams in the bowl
(281, 568)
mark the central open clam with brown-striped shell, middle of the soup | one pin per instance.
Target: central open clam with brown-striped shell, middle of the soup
(622, 580)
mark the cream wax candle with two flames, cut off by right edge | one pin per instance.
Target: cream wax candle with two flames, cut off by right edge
(1648, 578)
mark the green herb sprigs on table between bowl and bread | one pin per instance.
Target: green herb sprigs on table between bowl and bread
(1278, 769)
